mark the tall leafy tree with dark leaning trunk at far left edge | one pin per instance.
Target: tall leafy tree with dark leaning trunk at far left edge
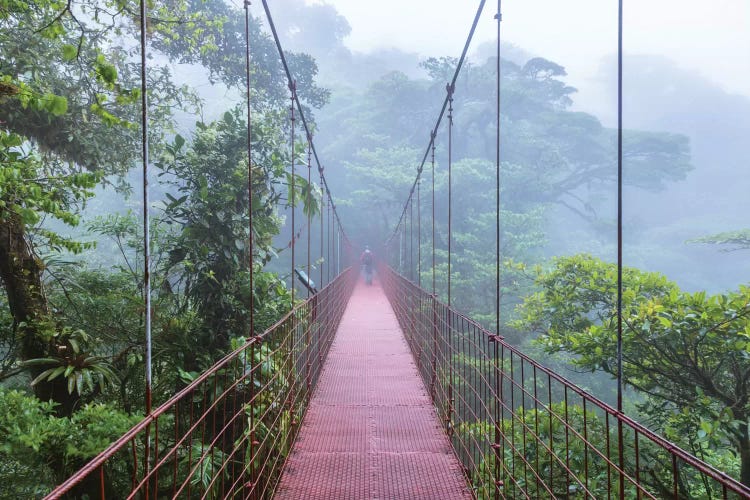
(66, 124)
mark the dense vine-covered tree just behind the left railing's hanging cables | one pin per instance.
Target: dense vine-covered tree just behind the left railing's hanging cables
(208, 255)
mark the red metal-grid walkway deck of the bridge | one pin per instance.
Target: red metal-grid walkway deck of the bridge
(370, 430)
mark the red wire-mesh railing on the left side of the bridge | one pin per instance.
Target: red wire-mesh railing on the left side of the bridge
(228, 433)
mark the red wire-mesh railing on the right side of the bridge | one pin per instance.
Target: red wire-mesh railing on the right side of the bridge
(522, 431)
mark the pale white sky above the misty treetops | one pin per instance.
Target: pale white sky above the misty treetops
(711, 37)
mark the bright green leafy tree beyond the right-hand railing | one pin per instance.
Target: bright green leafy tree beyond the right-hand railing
(689, 353)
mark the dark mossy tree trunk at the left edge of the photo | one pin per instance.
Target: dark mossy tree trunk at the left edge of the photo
(21, 274)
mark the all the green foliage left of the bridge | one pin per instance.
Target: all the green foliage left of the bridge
(70, 108)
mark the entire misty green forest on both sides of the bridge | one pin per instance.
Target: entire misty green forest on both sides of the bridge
(71, 236)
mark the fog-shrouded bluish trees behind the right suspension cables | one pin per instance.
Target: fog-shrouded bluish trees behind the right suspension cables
(550, 156)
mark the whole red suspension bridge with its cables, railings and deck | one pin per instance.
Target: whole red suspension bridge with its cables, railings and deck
(385, 391)
